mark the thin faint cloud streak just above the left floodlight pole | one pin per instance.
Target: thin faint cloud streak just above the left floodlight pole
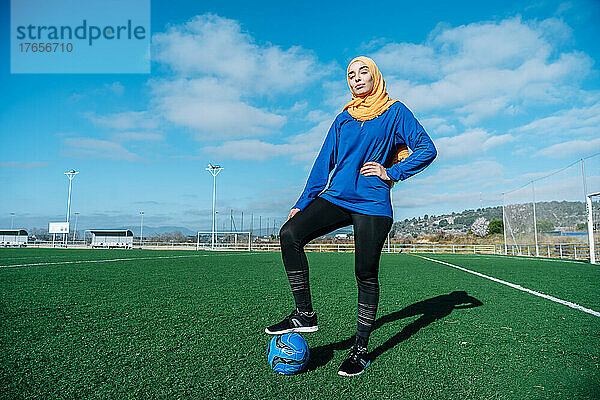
(95, 148)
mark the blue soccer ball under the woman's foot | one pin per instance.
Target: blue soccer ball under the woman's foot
(288, 353)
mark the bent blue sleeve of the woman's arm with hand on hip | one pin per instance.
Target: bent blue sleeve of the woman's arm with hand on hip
(410, 131)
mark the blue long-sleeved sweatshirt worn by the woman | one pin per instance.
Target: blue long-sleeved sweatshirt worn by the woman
(351, 143)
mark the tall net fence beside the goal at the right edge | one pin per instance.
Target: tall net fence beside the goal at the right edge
(549, 216)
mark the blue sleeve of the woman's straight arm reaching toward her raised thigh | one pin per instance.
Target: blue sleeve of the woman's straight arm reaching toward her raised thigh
(319, 175)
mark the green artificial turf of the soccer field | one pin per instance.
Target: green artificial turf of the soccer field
(193, 327)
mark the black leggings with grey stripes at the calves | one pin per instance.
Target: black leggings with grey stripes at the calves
(321, 217)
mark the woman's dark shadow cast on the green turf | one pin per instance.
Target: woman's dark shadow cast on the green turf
(430, 310)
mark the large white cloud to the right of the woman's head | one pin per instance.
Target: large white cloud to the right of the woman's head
(485, 69)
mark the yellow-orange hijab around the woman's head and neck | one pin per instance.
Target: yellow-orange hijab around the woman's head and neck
(373, 104)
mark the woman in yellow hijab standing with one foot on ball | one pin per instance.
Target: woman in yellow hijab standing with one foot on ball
(364, 144)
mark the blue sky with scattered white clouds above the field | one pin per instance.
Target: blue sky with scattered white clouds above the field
(507, 90)
